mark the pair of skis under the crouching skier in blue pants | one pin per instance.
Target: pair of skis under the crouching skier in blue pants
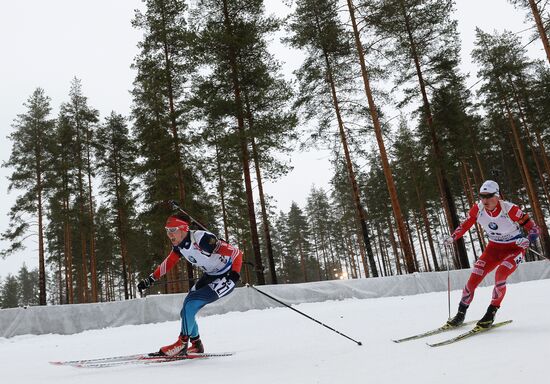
(136, 359)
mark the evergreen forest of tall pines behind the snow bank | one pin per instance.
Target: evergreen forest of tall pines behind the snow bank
(214, 118)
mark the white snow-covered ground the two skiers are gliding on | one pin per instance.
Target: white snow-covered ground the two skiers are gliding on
(280, 346)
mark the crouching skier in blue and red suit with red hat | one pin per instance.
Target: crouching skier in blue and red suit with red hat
(221, 263)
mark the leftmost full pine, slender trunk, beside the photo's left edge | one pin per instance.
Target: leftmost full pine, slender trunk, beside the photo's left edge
(29, 158)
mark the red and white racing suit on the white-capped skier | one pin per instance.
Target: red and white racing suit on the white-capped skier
(503, 227)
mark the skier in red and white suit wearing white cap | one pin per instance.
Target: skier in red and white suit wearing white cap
(502, 221)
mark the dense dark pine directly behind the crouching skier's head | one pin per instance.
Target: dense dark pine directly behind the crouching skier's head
(163, 67)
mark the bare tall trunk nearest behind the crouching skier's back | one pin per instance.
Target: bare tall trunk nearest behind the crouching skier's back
(244, 150)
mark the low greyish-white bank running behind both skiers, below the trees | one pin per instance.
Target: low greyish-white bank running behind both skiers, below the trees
(69, 319)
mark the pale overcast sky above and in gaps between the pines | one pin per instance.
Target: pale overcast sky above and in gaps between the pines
(47, 43)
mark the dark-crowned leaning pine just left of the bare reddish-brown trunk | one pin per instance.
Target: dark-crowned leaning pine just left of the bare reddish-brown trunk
(316, 27)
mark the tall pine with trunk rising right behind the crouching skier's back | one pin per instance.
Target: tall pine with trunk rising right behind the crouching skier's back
(228, 37)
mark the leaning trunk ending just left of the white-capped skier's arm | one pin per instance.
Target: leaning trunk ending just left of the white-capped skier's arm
(445, 189)
